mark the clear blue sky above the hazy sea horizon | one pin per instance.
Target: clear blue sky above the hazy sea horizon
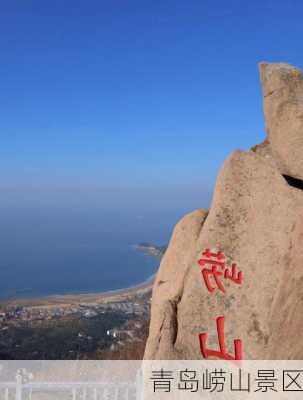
(135, 96)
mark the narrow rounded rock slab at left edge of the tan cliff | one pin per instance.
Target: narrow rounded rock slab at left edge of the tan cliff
(170, 283)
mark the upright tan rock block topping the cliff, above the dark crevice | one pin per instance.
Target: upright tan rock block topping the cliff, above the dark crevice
(283, 108)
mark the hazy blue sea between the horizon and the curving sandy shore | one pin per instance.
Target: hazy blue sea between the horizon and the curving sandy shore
(61, 244)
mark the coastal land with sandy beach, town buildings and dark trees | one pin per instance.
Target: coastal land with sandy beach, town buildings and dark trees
(93, 324)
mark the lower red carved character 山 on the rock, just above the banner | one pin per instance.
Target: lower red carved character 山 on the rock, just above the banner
(222, 353)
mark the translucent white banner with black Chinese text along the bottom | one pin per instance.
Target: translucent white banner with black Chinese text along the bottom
(148, 380)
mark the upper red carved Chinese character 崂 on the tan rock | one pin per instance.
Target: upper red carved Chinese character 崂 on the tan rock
(218, 270)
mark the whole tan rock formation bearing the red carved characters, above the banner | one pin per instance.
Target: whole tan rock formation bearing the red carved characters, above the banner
(230, 285)
